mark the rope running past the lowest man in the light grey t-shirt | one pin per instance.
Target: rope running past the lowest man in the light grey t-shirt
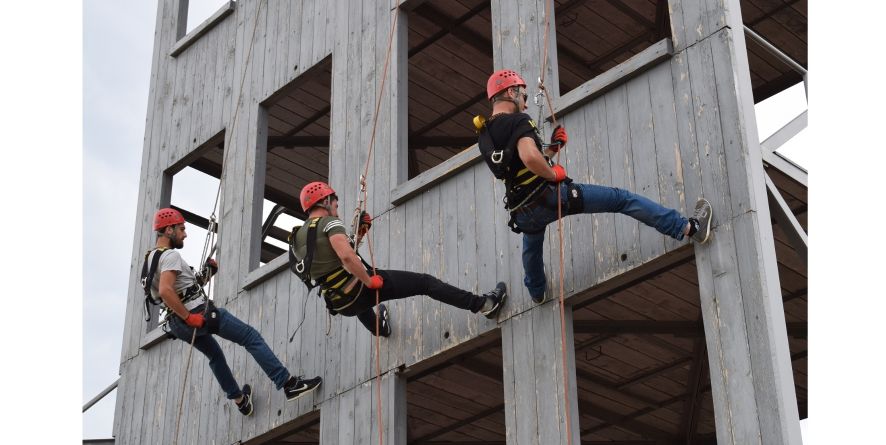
(212, 228)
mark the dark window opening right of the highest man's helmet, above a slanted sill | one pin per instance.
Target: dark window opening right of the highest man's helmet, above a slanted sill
(594, 36)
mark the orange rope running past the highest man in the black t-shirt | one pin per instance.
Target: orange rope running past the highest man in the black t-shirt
(541, 87)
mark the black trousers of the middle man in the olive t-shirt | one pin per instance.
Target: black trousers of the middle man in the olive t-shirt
(400, 284)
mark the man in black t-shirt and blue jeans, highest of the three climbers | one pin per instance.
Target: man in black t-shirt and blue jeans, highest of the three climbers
(512, 148)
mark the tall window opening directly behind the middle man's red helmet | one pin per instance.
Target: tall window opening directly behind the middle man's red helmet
(298, 132)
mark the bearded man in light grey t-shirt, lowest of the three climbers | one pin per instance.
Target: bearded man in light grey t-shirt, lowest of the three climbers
(175, 286)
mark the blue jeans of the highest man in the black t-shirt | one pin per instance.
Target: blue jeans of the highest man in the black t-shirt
(533, 220)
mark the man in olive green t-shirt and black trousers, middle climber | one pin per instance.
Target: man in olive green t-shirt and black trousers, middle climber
(322, 252)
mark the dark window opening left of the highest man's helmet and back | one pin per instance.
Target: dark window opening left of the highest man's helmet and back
(450, 56)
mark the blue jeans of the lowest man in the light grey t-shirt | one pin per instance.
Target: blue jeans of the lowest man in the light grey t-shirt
(232, 329)
